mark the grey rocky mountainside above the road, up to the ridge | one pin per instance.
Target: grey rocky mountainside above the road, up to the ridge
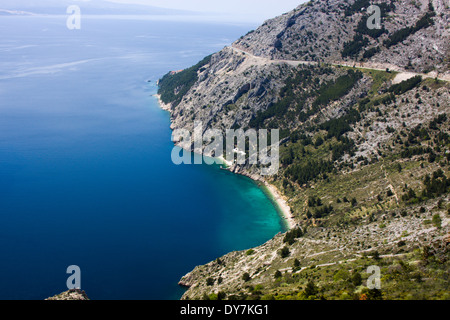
(319, 31)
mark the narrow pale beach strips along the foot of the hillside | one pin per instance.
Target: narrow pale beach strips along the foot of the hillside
(271, 191)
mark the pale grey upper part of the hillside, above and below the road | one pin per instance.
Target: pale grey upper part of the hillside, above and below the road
(227, 89)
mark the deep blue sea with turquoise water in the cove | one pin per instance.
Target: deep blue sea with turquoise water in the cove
(86, 176)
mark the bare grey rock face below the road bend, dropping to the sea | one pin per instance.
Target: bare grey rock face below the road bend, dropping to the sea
(230, 90)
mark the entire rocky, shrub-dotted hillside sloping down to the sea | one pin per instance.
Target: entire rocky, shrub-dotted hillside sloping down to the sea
(364, 117)
